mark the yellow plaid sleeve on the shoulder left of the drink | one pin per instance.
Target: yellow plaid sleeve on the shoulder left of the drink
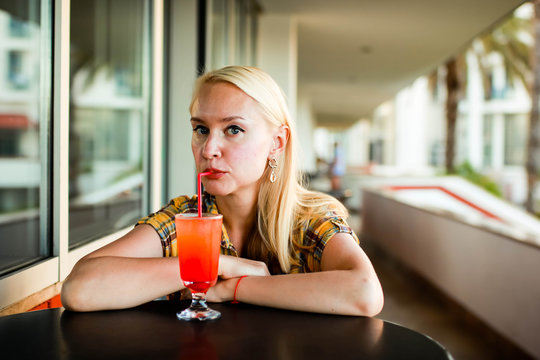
(163, 221)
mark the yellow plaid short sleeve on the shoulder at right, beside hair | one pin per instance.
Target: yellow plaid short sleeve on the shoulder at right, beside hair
(315, 237)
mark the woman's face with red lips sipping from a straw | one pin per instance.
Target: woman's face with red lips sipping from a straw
(230, 138)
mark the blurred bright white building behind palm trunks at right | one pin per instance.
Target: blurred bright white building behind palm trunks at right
(408, 132)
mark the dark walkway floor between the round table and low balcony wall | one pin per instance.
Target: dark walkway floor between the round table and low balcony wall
(412, 302)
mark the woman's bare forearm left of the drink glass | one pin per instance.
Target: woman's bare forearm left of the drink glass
(108, 282)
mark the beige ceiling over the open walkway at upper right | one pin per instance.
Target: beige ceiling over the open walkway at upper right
(355, 54)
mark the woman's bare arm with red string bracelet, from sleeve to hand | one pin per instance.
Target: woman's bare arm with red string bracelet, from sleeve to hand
(346, 285)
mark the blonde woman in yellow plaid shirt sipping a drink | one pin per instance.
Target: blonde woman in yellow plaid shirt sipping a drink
(293, 244)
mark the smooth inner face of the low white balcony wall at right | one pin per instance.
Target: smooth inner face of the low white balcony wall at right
(493, 276)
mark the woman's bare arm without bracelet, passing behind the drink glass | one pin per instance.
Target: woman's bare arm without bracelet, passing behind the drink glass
(131, 271)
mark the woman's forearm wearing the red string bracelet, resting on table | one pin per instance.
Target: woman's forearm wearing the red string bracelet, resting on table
(345, 292)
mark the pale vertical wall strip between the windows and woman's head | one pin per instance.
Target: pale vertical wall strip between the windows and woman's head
(182, 74)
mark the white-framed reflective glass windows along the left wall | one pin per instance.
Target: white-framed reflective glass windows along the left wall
(74, 157)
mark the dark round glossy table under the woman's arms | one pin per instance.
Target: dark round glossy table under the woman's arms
(151, 331)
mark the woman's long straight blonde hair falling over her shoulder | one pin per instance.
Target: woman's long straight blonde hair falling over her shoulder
(277, 224)
